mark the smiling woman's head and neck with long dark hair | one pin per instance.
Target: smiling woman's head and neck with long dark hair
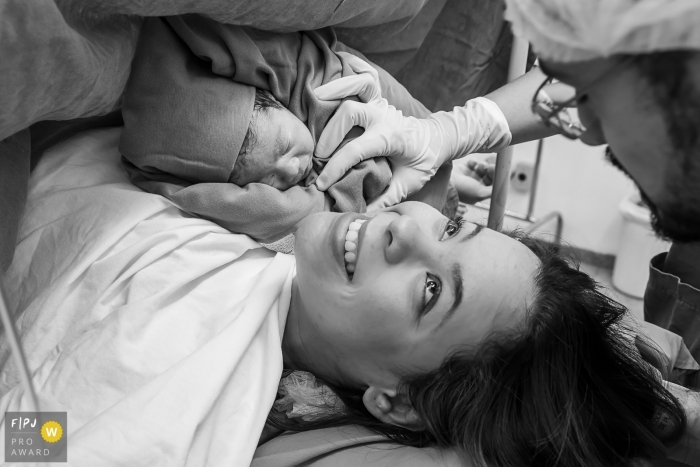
(449, 334)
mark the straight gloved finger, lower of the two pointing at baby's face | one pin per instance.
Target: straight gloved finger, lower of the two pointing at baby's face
(357, 150)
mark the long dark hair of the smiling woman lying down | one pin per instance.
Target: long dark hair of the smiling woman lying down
(567, 387)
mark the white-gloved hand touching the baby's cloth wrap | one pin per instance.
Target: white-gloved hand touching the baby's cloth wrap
(416, 148)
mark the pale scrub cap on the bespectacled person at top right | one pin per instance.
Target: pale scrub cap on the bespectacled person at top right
(579, 30)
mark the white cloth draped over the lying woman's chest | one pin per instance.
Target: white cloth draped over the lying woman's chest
(159, 333)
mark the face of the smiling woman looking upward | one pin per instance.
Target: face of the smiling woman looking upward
(422, 287)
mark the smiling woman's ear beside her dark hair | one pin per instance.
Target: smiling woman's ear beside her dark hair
(392, 408)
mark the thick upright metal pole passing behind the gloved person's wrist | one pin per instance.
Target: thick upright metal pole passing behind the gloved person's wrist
(499, 196)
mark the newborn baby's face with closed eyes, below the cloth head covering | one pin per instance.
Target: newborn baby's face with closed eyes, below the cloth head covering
(277, 148)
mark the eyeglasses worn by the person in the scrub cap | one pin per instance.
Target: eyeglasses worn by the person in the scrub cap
(558, 116)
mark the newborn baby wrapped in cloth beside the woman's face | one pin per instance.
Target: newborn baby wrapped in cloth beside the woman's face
(222, 120)
